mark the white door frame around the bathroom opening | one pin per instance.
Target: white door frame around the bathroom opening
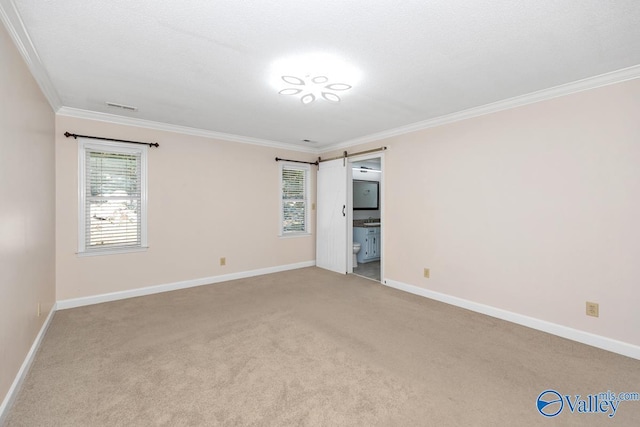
(353, 159)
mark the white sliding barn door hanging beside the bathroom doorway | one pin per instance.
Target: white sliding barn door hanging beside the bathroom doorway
(331, 229)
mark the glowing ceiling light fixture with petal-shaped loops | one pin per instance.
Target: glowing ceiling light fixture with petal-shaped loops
(313, 77)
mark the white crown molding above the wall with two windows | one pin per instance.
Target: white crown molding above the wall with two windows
(184, 130)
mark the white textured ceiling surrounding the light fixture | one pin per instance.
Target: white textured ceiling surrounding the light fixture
(205, 64)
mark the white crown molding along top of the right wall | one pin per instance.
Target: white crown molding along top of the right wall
(606, 79)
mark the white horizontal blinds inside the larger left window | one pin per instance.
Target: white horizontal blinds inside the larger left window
(113, 199)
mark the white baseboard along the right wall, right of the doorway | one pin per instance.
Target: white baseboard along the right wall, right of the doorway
(620, 347)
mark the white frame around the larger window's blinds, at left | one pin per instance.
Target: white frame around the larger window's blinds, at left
(85, 145)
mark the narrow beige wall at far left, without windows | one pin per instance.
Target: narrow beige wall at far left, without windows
(27, 258)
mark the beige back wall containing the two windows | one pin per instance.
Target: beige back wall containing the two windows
(207, 199)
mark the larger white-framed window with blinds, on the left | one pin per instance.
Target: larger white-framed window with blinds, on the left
(112, 205)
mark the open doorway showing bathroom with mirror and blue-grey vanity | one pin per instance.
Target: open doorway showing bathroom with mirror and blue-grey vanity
(366, 220)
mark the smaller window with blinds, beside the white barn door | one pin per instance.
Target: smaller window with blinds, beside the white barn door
(294, 191)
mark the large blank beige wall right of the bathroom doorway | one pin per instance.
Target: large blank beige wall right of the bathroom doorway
(534, 210)
